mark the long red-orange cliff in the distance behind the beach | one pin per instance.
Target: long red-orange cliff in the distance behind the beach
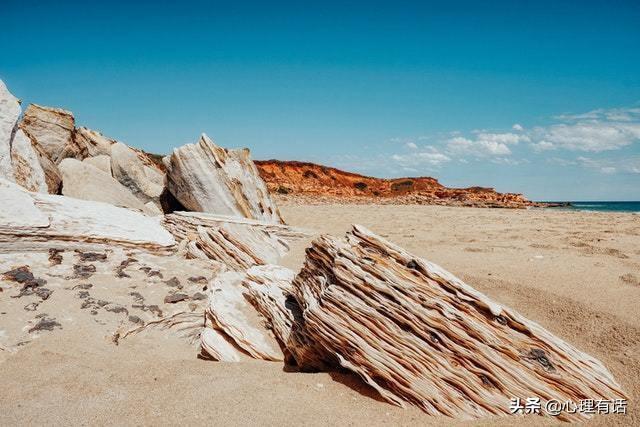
(317, 184)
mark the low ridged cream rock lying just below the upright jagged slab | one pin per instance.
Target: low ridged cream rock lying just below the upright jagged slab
(236, 242)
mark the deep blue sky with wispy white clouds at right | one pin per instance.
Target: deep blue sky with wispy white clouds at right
(538, 97)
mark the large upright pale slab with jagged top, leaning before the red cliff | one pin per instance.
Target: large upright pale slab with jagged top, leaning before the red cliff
(206, 178)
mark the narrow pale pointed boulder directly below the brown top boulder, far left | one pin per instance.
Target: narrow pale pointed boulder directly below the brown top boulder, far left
(27, 170)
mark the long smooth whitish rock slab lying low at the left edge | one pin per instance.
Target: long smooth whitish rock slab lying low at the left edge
(43, 221)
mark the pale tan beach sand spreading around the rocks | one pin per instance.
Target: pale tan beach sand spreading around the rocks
(577, 274)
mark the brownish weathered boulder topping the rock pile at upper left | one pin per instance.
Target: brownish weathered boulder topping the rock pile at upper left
(52, 129)
